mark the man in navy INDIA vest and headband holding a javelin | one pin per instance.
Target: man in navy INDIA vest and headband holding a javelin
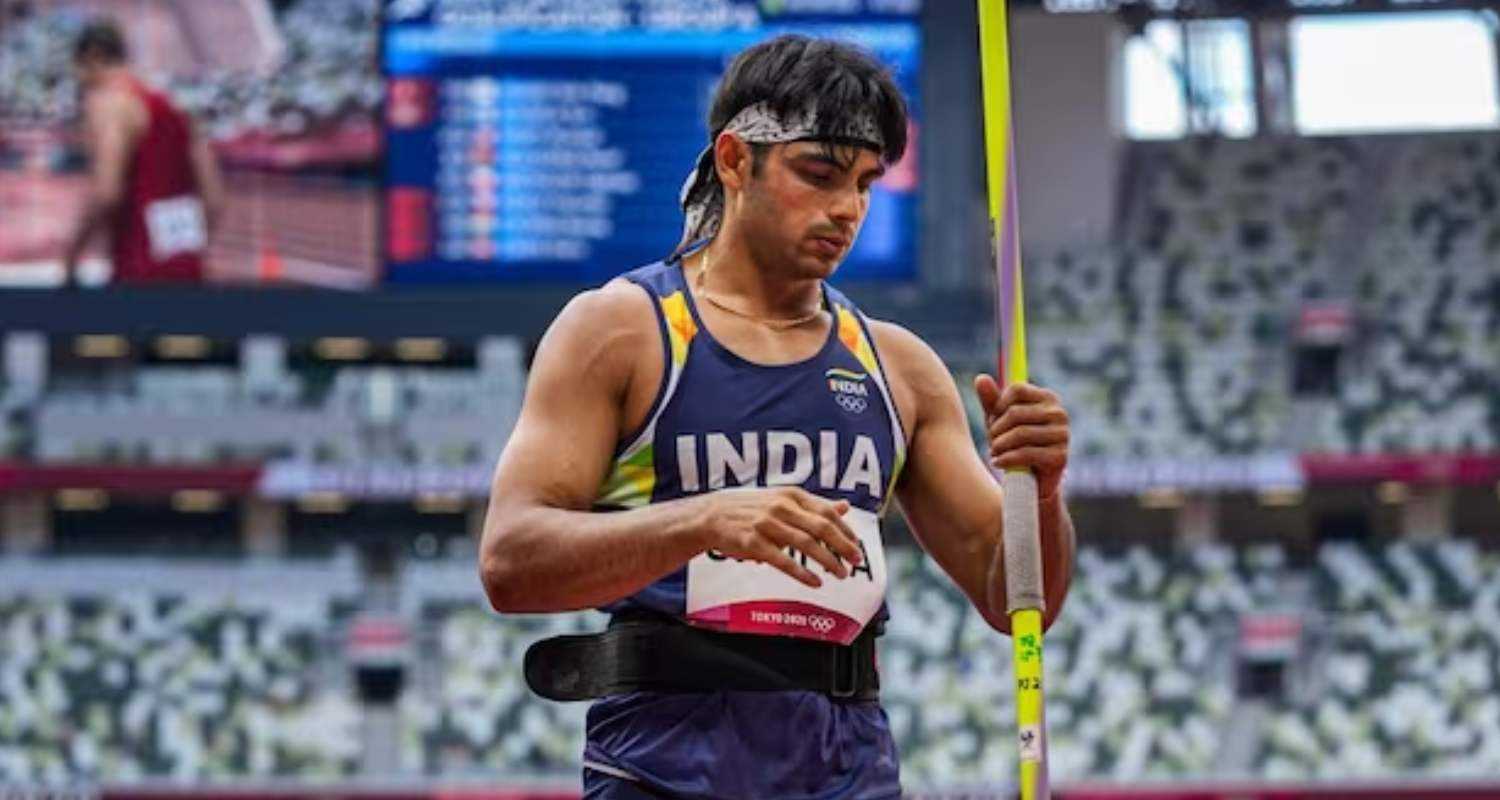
(734, 365)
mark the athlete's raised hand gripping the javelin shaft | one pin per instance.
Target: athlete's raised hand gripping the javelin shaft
(1027, 429)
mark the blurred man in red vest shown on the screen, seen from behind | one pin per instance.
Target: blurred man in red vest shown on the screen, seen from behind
(154, 181)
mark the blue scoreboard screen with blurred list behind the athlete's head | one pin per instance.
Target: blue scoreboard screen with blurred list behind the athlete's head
(548, 142)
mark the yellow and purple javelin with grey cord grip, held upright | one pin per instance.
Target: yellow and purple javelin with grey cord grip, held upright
(1021, 547)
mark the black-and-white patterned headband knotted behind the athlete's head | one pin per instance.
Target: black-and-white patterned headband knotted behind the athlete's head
(703, 196)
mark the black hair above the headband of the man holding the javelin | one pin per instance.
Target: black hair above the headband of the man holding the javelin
(836, 80)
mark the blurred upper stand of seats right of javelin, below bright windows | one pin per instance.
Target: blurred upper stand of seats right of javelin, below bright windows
(1175, 340)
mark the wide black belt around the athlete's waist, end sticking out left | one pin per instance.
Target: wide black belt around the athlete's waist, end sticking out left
(643, 652)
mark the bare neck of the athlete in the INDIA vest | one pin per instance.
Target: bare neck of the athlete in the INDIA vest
(758, 290)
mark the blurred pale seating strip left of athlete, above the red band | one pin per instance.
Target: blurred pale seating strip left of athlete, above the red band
(454, 418)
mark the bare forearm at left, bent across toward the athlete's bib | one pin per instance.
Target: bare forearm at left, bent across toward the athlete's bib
(541, 559)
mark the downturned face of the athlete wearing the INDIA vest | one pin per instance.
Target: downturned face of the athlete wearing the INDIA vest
(803, 209)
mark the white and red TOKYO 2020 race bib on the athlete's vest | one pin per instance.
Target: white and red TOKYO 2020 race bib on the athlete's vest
(754, 598)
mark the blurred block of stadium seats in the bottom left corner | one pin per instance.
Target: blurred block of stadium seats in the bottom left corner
(190, 675)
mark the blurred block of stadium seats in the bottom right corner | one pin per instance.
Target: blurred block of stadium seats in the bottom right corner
(1406, 684)
